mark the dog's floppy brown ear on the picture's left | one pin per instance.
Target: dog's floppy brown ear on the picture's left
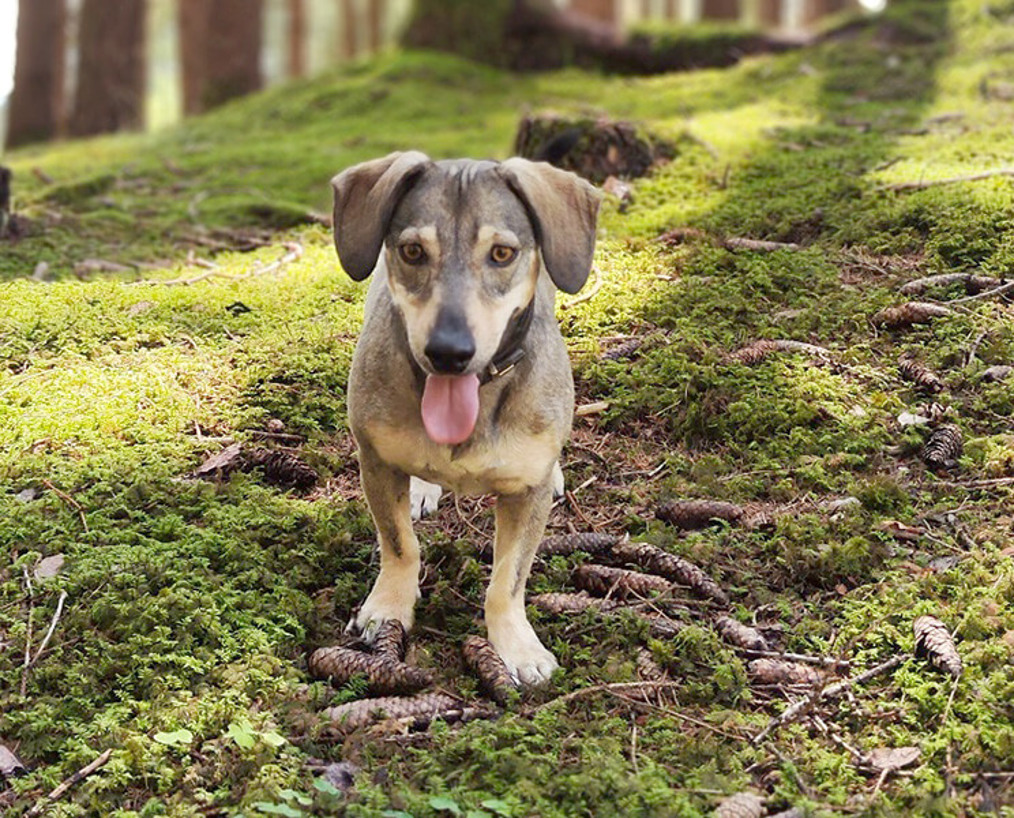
(366, 198)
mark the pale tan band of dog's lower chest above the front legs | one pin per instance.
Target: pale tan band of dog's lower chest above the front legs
(511, 465)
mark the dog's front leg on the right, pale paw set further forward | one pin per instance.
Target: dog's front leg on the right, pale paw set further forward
(521, 526)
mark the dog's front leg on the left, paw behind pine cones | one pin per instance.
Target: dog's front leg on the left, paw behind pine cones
(397, 587)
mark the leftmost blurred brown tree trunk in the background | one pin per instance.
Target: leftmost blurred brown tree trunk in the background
(37, 104)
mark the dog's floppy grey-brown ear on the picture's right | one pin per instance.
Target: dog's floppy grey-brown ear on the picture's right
(563, 208)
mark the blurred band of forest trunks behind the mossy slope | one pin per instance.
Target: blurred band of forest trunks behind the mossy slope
(96, 66)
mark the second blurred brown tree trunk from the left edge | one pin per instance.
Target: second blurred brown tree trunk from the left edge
(111, 76)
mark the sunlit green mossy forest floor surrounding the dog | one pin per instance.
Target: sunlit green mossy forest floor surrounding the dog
(193, 605)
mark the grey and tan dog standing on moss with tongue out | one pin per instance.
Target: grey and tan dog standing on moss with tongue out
(461, 380)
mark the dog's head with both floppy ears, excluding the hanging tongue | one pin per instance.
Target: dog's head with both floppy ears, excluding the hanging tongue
(464, 244)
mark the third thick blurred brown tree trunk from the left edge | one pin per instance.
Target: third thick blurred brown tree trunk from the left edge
(221, 45)
